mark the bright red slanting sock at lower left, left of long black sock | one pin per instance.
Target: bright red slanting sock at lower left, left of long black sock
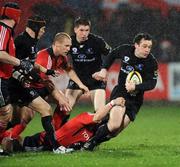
(17, 130)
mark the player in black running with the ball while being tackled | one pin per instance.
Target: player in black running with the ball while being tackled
(135, 57)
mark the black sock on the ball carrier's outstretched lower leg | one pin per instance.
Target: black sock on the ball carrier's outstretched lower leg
(101, 133)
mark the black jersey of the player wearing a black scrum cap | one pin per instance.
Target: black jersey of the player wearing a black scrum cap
(25, 46)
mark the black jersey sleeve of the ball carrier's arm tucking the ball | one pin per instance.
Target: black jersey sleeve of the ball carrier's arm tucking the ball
(150, 78)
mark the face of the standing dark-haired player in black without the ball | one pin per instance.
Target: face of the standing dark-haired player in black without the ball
(82, 33)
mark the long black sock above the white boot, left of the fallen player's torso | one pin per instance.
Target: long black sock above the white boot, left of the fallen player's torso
(48, 127)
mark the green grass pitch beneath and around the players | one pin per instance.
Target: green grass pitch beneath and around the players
(153, 140)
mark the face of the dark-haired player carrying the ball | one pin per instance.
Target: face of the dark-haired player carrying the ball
(143, 49)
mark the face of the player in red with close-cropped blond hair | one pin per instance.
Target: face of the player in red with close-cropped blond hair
(62, 48)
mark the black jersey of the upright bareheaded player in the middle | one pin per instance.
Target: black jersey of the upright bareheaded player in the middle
(87, 56)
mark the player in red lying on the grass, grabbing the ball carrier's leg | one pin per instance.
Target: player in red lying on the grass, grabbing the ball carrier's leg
(72, 134)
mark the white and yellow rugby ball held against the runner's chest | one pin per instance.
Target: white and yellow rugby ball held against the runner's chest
(134, 77)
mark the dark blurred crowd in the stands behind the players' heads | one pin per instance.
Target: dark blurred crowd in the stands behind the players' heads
(117, 21)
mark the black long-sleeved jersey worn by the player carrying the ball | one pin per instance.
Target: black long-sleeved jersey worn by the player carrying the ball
(147, 67)
